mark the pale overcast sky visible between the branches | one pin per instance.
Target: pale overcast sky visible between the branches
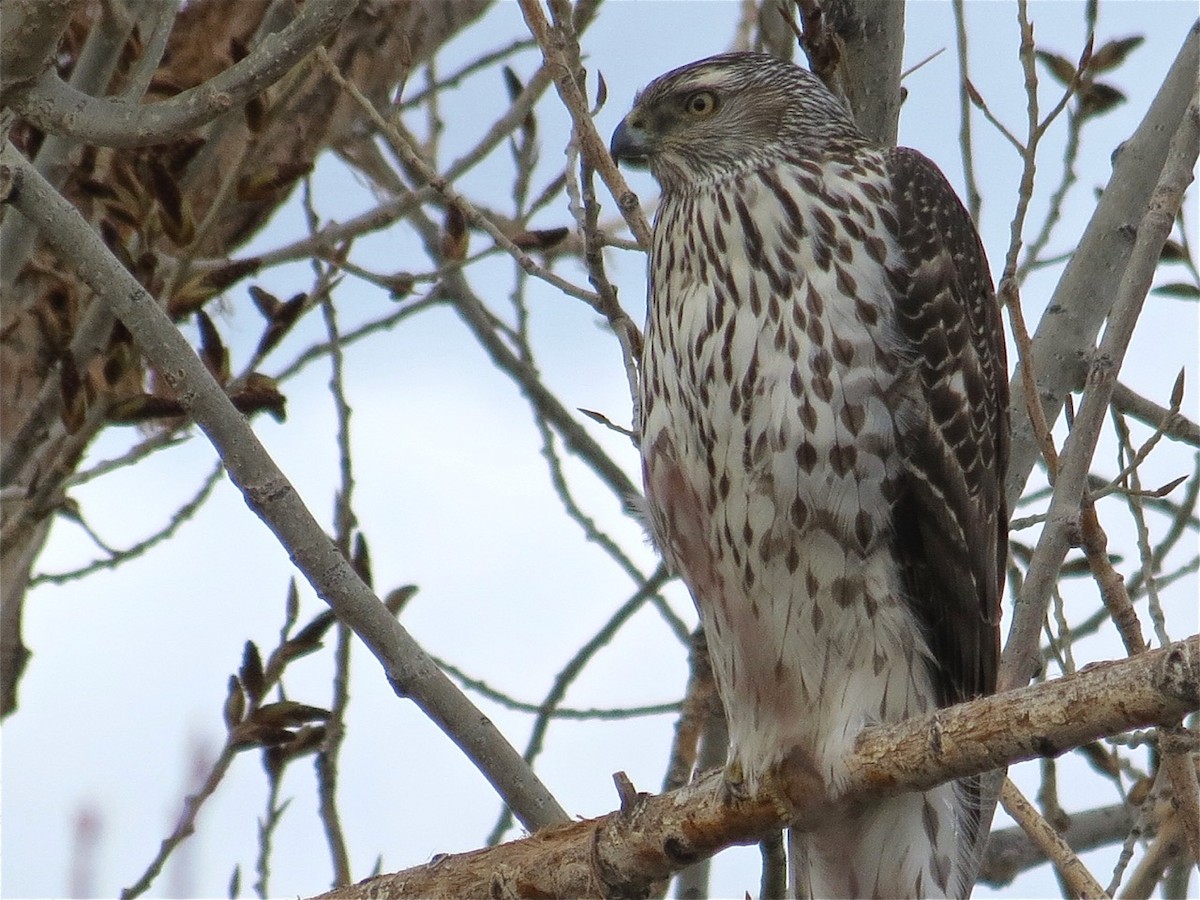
(130, 668)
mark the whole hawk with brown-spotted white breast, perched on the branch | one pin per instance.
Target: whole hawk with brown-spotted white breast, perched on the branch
(824, 442)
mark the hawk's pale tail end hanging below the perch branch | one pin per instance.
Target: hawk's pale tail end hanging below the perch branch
(915, 845)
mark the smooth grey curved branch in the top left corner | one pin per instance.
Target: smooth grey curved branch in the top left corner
(58, 109)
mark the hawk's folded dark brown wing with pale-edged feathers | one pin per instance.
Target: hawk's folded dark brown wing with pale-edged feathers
(951, 523)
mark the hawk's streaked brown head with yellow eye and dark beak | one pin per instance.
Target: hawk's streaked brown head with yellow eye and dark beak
(728, 113)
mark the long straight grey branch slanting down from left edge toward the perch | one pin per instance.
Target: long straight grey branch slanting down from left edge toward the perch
(273, 497)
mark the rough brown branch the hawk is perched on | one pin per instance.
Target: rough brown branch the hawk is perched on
(652, 837)
